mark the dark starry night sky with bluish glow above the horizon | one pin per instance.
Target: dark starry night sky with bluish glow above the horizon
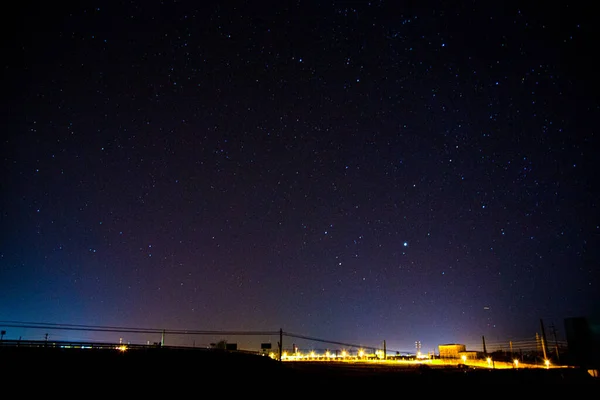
(355, 171)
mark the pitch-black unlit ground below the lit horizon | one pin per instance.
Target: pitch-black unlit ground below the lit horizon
(160, 370)
